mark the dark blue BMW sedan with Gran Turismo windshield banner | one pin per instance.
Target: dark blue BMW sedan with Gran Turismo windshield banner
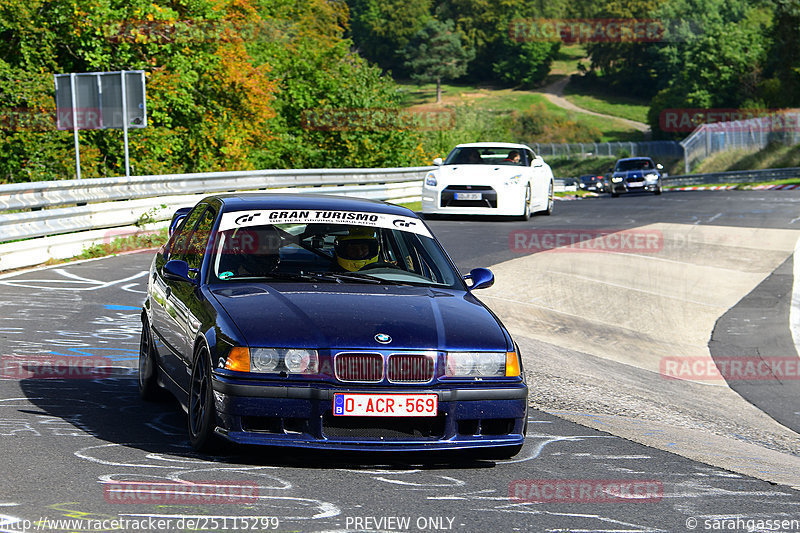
(326, 322)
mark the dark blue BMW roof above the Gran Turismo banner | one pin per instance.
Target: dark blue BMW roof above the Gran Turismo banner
(259, 200)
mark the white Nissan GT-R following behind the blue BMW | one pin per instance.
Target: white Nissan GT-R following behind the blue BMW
(489, 179)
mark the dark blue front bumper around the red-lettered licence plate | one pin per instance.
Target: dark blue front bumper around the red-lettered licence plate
(302, 416)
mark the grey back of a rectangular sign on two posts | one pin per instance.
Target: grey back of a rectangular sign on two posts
(101, 100)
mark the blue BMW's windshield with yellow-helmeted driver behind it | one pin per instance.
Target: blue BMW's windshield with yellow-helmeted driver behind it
(335, 252)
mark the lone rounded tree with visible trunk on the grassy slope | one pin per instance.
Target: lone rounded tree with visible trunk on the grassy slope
(437, 53)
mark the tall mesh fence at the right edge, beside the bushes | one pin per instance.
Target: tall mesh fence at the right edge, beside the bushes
(754, 134)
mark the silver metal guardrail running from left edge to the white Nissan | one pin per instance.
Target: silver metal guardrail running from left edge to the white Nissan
(58, 219)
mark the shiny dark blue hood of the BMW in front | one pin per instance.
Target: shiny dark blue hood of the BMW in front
(349, 316)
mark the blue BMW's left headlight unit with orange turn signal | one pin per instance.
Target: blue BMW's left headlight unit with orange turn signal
(273, 360)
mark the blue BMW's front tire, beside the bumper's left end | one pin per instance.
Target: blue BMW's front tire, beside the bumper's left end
(202, 411)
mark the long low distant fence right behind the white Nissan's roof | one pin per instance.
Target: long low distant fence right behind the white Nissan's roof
(658, 149)
